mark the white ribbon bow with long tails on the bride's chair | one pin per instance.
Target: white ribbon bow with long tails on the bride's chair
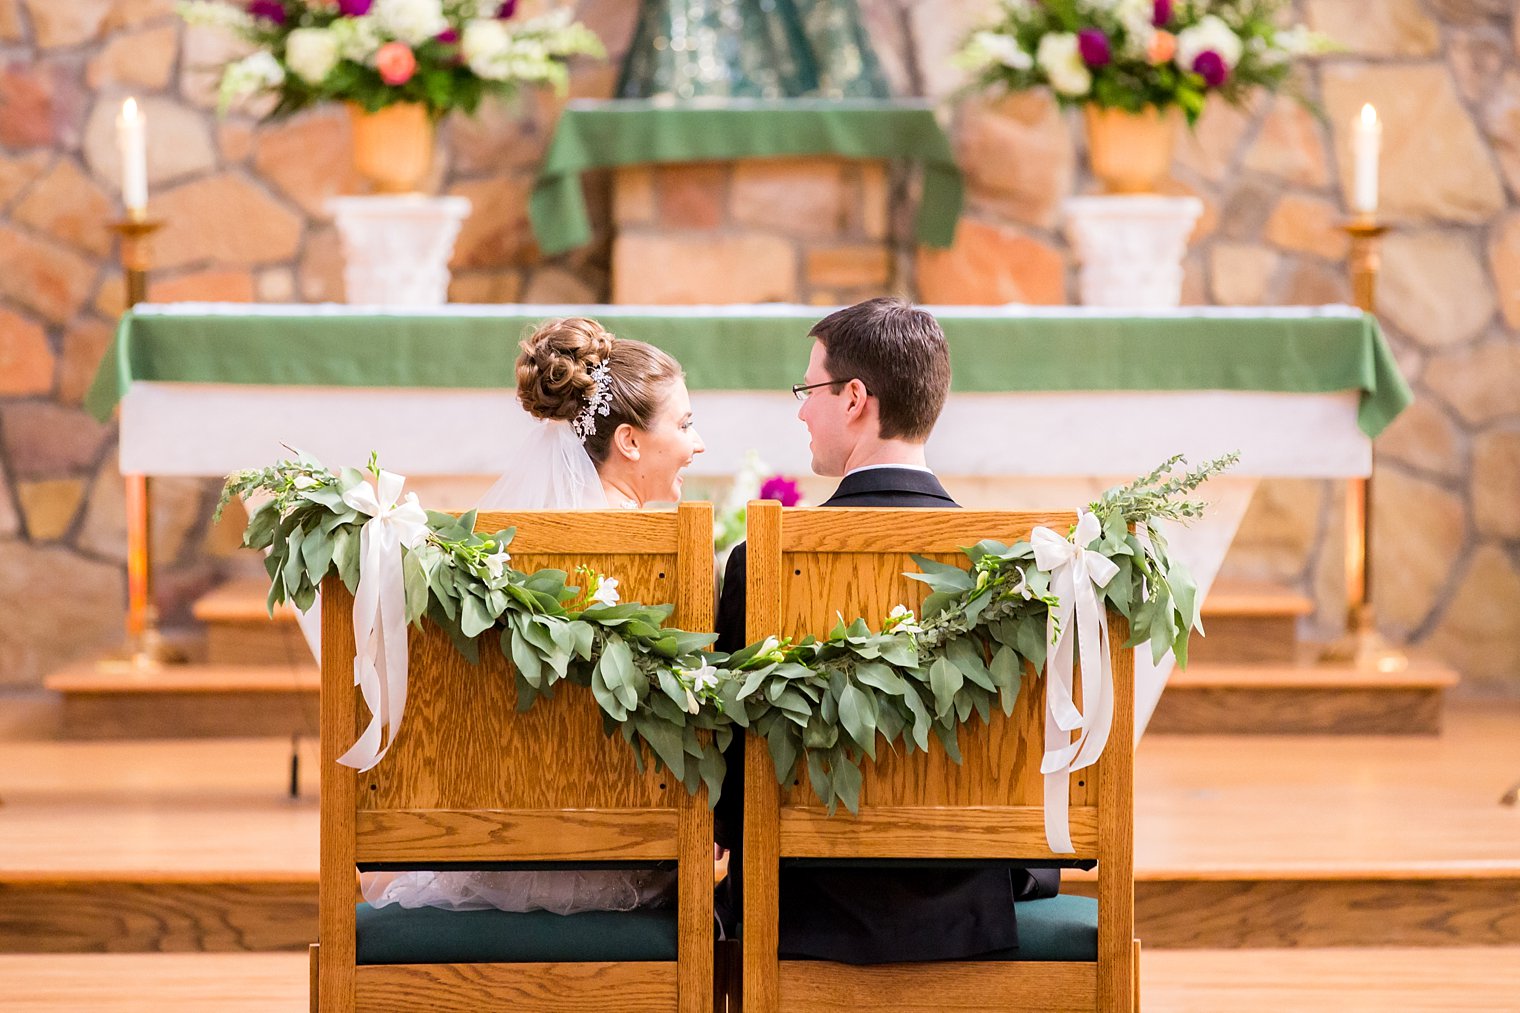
(381, 611)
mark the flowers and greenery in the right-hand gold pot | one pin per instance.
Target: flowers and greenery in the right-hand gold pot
(1132, 54)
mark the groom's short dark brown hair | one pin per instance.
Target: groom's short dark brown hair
(899, 352)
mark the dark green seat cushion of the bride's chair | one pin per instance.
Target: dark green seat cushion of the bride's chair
(431, 936)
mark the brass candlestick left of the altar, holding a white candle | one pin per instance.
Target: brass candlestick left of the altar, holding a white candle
(145, 644)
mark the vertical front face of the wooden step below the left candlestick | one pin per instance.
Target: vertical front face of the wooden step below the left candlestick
(188, 716)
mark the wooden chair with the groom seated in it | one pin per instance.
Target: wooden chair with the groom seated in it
(805, 568)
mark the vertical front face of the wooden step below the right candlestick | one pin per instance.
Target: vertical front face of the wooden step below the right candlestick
(1297, 711)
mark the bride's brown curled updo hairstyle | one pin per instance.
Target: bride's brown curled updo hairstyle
(554, 378)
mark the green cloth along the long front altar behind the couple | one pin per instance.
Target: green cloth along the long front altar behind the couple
(762, 349)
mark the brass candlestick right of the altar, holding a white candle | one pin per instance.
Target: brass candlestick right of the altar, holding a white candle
(1363, 646)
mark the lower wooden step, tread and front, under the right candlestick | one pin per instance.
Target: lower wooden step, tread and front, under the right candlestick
(1302, 699)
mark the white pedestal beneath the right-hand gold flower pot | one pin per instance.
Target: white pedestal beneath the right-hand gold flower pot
(1132, 249)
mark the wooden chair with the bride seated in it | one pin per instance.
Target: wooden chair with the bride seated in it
(472, 781)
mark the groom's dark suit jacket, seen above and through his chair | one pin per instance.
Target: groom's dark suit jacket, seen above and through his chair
(863, 915)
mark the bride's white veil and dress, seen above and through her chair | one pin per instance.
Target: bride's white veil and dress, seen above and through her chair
(551, 472)
